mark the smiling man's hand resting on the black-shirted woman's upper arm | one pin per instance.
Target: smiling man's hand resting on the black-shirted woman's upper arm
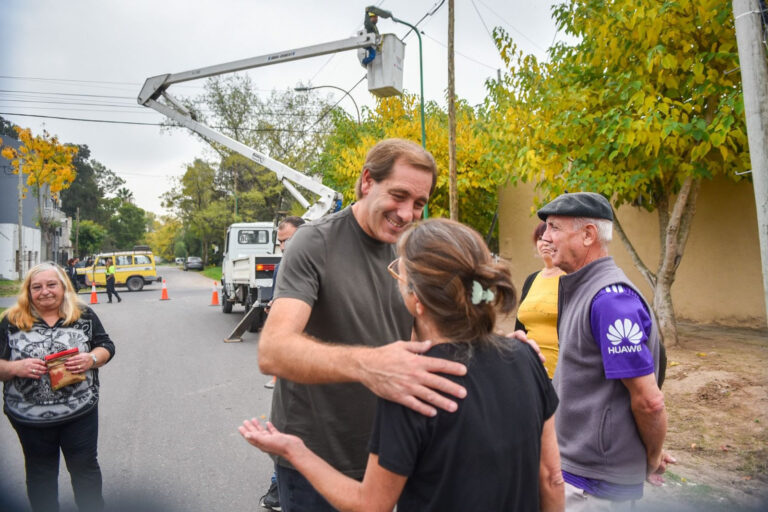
(398, 372)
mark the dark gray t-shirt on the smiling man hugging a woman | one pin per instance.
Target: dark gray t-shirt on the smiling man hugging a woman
(341, 272)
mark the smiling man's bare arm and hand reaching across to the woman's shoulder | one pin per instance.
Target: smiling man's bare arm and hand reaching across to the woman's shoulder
(394, 372)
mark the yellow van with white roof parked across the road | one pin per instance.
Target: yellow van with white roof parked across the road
(133, 269)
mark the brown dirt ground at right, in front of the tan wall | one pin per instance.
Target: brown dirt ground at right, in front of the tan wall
(716, 395)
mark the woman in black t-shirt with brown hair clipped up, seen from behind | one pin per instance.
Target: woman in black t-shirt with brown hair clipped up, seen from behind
(498, 451)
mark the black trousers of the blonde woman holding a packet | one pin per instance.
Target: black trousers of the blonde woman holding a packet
(76, 439)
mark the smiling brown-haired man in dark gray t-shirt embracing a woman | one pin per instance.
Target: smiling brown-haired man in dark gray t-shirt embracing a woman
(334, 326)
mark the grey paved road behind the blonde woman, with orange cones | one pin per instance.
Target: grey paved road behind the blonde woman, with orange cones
(171, 401)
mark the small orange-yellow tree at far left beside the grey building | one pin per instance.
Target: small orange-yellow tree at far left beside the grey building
(49, 170)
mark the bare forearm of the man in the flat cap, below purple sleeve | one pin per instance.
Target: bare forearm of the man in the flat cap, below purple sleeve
(647, 402)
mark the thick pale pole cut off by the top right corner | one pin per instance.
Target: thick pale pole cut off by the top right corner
(754, 83)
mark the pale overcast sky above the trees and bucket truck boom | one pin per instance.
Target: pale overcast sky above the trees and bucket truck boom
(87, 59)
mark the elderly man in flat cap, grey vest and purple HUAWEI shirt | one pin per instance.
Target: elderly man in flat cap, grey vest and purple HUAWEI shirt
(611, 422)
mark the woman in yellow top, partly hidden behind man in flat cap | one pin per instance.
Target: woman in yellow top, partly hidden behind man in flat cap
(537, 314)
